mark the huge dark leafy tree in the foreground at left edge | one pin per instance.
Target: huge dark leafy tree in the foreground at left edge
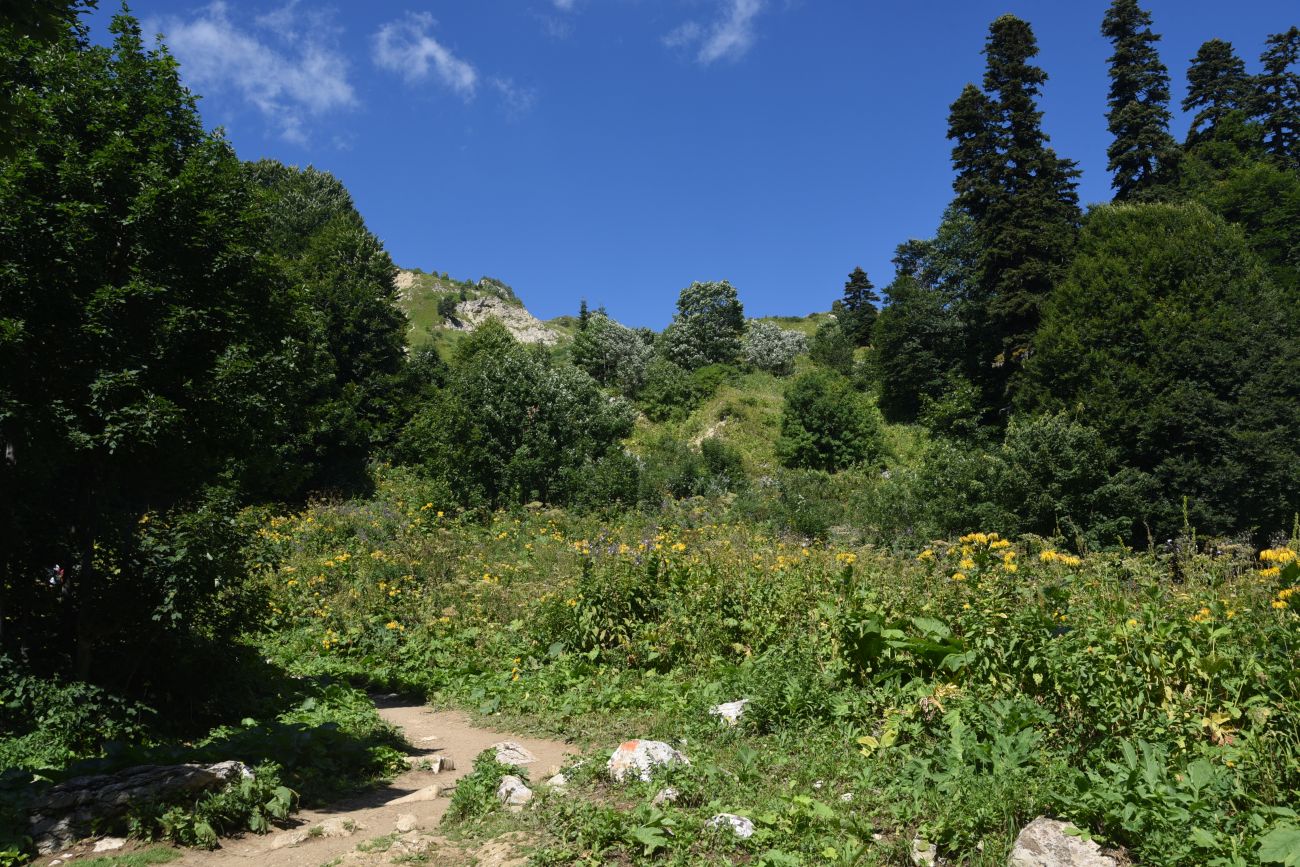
(149, 345)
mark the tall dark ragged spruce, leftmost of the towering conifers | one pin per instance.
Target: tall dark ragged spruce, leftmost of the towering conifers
(1022, 200)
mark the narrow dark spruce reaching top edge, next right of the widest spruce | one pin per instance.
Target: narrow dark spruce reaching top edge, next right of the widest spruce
(1139, 101)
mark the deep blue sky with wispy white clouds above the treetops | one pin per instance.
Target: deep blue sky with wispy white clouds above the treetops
(617, 150)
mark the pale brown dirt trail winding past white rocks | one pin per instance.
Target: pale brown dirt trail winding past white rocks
(432, 735)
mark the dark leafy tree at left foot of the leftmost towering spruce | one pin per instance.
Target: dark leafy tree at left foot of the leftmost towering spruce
(917, 346)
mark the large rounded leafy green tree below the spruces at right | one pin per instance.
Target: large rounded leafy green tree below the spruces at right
(1171, 340)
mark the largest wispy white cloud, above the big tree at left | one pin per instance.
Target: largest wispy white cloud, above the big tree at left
(285, 64)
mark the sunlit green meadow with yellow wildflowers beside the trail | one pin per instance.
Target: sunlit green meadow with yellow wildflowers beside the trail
(952, 692)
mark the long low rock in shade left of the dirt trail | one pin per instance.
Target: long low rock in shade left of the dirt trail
(66, 813)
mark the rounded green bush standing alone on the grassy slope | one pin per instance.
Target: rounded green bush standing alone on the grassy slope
(827, 424)
